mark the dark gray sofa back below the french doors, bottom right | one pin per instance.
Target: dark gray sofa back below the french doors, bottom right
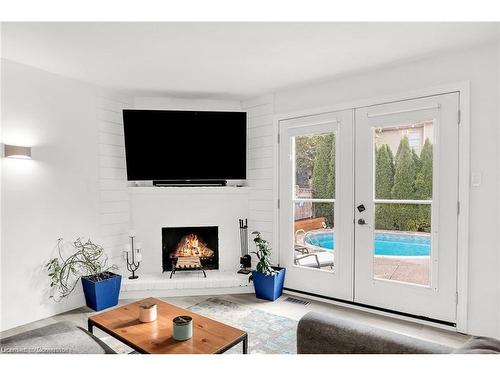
(322, 334)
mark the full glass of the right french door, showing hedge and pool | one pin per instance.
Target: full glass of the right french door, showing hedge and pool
(403, 171)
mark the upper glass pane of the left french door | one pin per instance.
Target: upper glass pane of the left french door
(315, 166)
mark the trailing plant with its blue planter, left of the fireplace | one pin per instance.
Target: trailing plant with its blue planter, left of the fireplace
(88, 262)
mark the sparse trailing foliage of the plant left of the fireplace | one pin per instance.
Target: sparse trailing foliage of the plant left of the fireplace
(64, 272)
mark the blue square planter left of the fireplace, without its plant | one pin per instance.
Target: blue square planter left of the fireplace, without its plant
(101, 294)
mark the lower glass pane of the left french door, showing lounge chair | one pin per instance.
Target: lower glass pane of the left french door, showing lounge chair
(314, 241)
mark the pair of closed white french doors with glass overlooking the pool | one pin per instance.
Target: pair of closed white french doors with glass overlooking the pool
(368, 205)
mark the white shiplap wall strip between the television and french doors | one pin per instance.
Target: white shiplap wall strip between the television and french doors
(261, 167)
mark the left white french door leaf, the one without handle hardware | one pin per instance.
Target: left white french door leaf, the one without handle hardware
(316, 195)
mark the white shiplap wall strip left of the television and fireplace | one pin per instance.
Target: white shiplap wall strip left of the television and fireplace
(114, 198)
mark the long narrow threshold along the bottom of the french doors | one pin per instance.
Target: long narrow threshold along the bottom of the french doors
(450, 326)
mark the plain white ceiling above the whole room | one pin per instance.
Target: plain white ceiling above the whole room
(226, 60)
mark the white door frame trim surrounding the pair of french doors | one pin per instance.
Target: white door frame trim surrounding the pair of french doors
(463, 88)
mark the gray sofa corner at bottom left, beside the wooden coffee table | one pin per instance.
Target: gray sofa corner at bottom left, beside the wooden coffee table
(57, 338)
